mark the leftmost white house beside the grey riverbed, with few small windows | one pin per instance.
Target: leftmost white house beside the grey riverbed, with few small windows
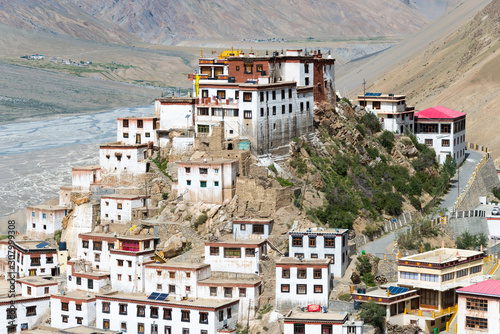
(43, 220)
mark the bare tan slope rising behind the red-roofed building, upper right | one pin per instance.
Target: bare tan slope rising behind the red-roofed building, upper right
(459, 72)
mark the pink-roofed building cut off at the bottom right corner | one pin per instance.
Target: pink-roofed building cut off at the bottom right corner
(479, 308)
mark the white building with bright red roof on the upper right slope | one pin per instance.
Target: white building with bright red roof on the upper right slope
(442, 129)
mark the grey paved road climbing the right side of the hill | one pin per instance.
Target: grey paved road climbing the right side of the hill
(386, 243)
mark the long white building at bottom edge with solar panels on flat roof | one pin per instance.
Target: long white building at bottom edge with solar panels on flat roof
(158, 313)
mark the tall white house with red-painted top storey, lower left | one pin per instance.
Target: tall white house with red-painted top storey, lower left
(128, 260)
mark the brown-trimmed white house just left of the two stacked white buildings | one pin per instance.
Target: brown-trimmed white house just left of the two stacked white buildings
(242, 256)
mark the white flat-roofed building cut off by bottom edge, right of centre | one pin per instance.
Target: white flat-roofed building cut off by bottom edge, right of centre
(296, 322)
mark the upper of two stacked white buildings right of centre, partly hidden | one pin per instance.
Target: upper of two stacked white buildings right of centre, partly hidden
(321, 244)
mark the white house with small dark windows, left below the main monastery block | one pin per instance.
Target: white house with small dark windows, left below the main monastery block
(117, 158)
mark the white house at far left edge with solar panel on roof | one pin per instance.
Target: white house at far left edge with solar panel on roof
(35, 258)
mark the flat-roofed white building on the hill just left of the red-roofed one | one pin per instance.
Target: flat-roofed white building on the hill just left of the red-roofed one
(393, 113)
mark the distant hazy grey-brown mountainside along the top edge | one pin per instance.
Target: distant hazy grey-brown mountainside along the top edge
(169, 22)
